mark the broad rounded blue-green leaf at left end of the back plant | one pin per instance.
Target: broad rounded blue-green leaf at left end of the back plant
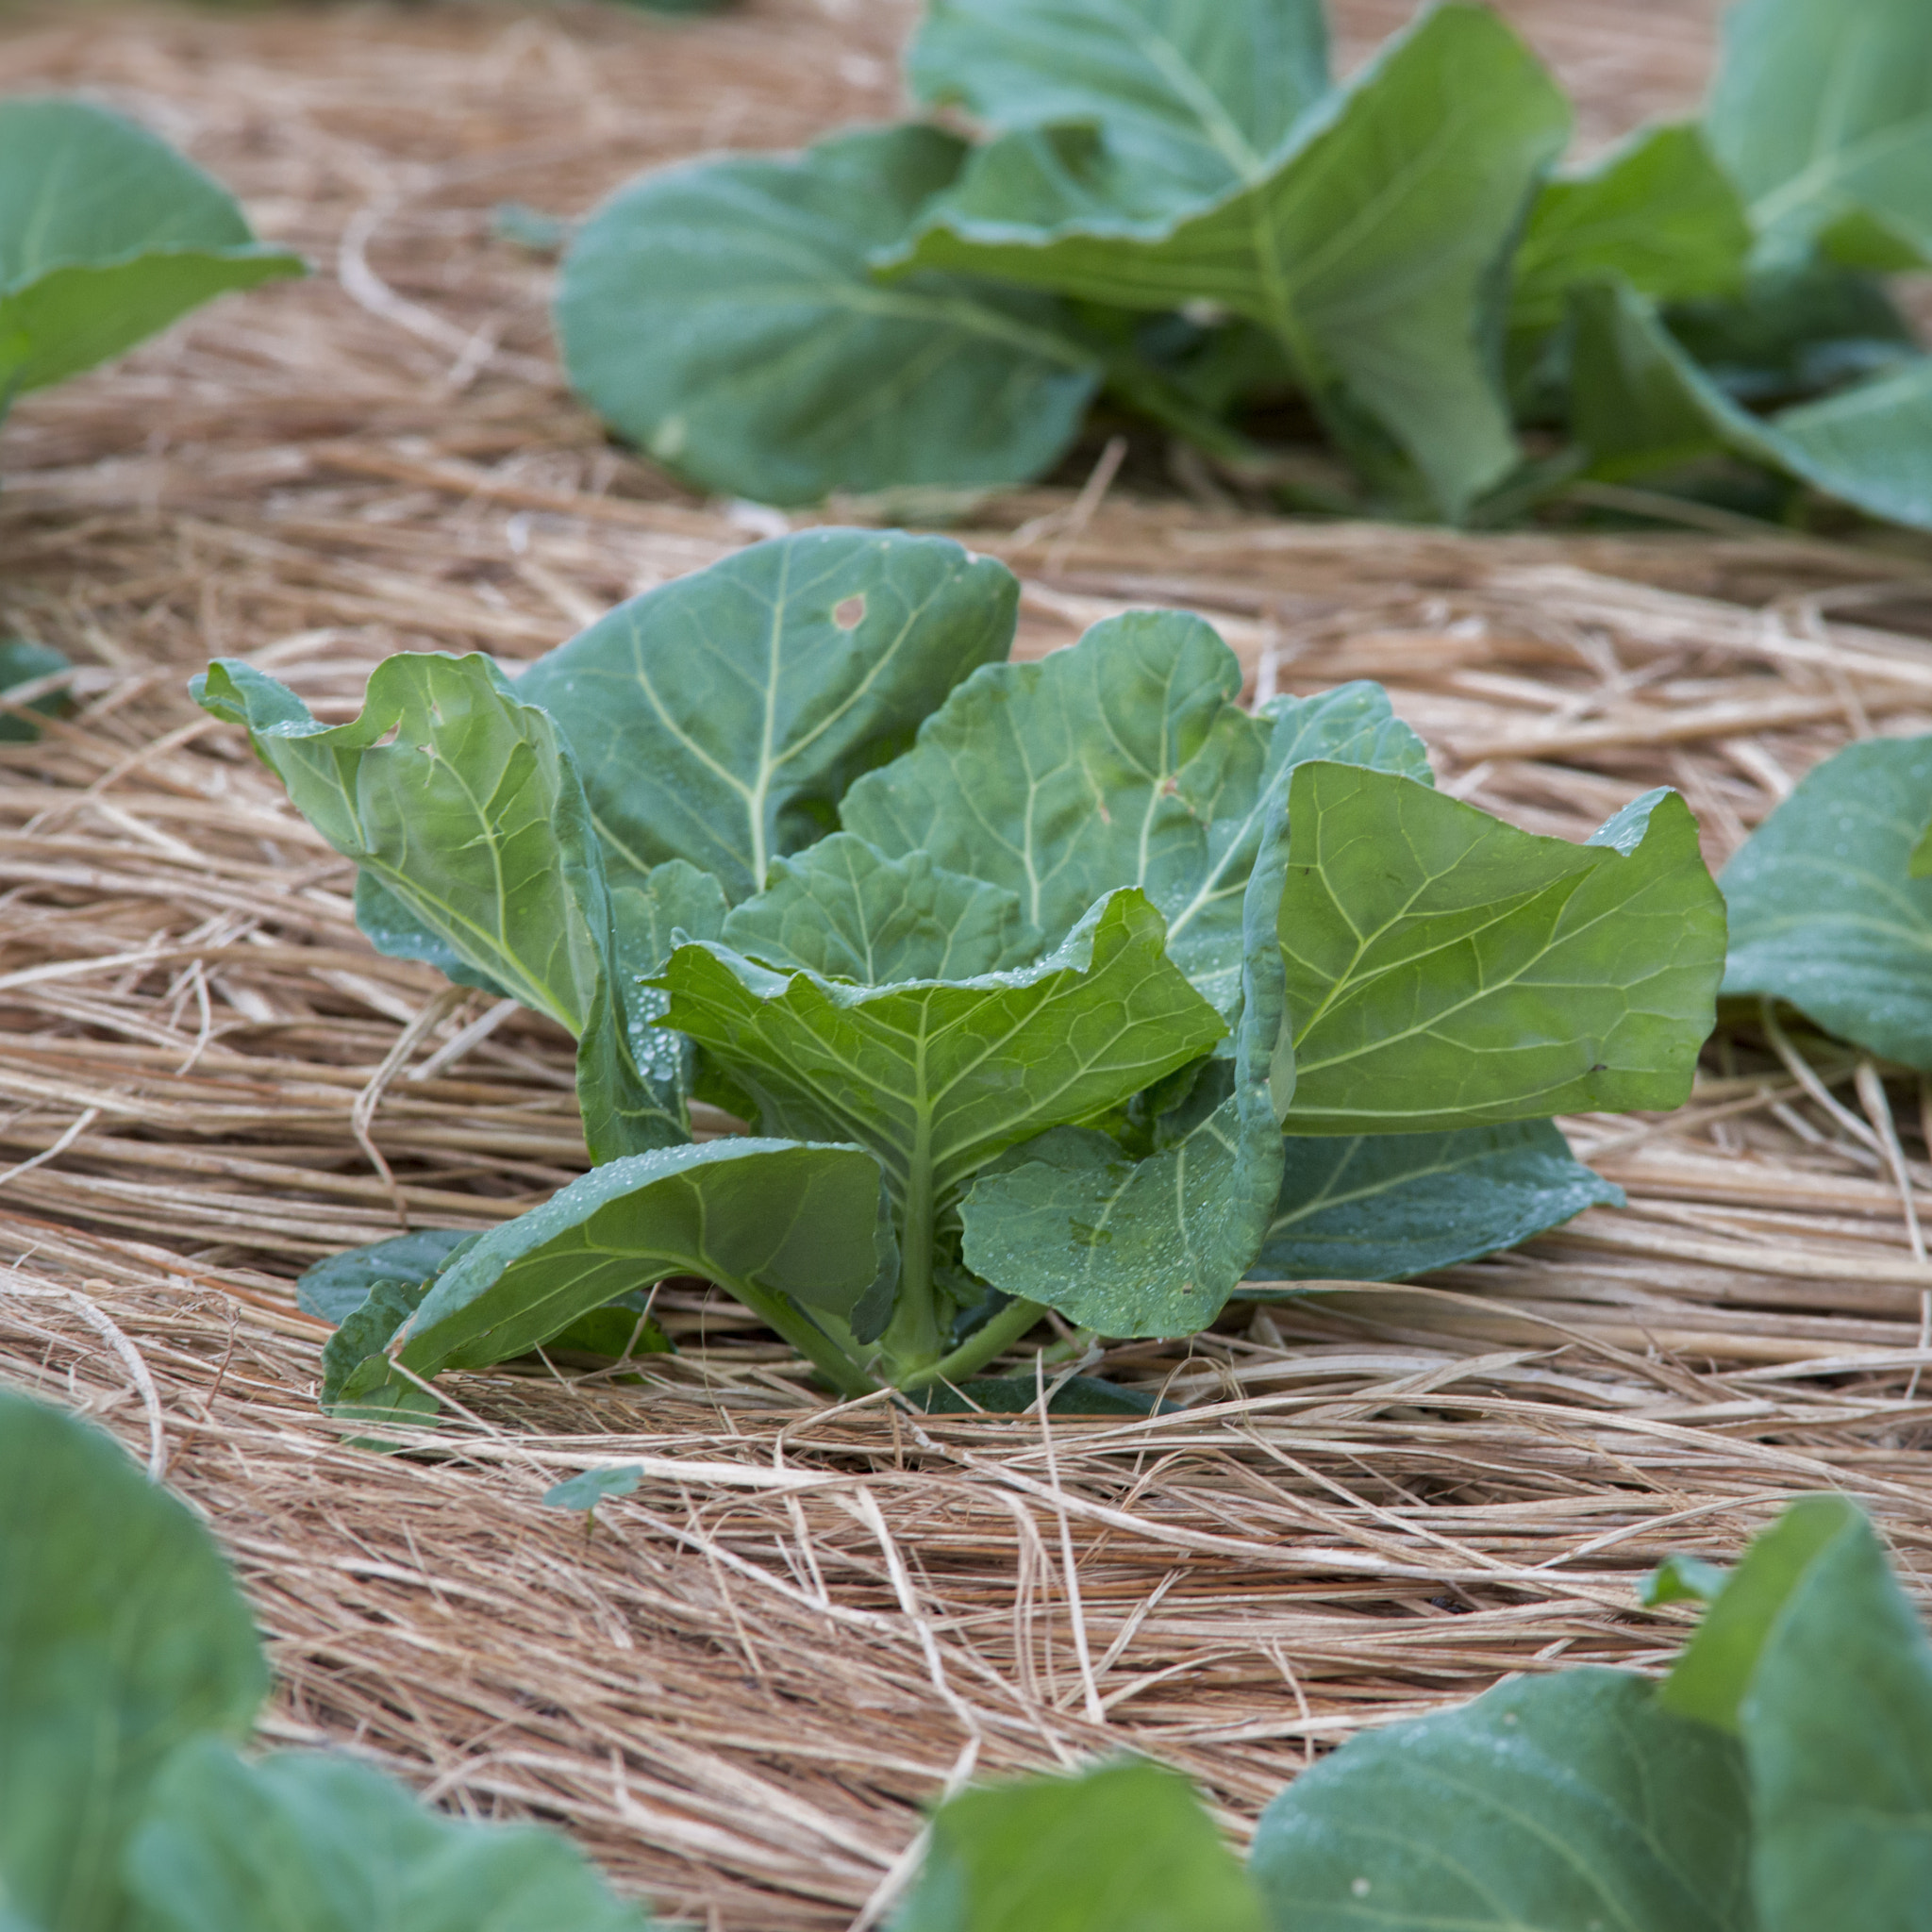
(724, 318)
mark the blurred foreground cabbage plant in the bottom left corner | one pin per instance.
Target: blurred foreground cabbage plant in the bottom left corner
(128, 1676)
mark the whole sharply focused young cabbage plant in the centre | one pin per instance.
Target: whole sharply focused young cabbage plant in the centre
(1044, 986)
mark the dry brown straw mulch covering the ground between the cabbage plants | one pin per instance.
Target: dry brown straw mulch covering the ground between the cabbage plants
(741, 1688)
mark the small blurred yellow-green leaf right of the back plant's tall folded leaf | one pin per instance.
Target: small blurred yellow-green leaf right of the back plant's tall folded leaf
(1659, 215)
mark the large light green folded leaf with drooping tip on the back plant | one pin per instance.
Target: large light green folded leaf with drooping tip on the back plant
(1371, 246)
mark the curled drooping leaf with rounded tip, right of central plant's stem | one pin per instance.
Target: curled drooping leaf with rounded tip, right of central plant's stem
(1156, 1247)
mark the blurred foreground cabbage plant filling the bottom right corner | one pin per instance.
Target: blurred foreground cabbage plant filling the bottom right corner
(1778, 1780)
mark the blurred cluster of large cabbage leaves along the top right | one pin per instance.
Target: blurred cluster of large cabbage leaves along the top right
(1174, 204)
